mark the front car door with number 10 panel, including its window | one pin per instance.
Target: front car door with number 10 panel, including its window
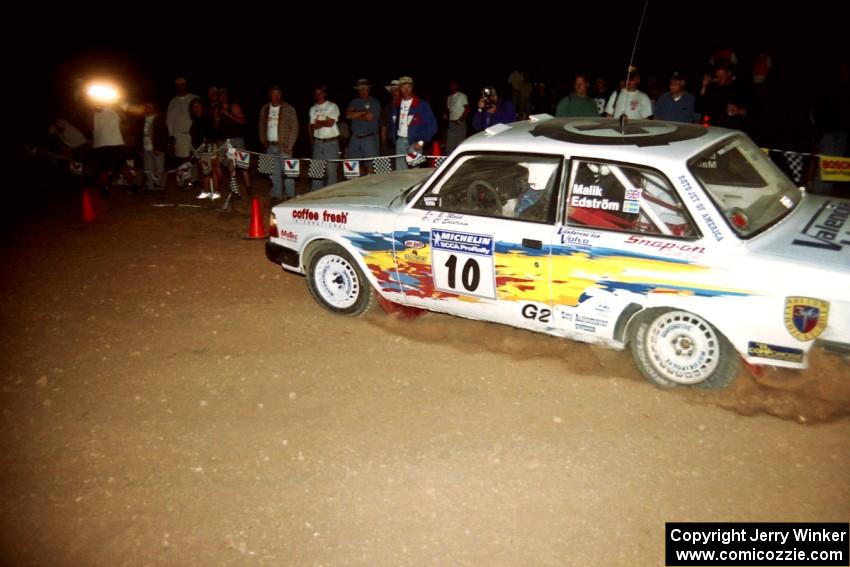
(477, 242)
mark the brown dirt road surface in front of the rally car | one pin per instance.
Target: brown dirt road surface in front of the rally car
(169, 397)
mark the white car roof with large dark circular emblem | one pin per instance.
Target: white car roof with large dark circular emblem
(639, 140)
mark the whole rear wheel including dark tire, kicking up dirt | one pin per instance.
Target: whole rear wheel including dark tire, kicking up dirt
(679, 349)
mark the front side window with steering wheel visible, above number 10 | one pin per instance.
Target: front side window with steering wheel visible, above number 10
(507, 186)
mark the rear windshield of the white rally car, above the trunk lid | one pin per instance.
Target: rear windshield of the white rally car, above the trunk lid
(748, 188)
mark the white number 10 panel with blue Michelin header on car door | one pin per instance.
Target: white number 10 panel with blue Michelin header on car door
(463, 263)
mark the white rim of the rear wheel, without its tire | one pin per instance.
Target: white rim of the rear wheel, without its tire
(682, 347)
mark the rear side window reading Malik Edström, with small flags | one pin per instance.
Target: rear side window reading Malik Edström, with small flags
(627, 198)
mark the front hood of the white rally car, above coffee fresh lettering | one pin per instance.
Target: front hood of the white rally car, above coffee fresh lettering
(369, 191)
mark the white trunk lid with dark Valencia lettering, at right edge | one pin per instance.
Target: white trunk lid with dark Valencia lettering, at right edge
(816, 233)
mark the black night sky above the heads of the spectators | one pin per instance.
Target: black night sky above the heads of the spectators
(431, 42)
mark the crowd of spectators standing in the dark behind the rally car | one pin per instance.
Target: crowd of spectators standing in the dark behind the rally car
(393, 119)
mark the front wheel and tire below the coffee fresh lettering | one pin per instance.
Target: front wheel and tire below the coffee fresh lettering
(336, 282)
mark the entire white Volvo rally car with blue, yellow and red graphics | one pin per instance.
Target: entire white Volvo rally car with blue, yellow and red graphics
(682, 242)
